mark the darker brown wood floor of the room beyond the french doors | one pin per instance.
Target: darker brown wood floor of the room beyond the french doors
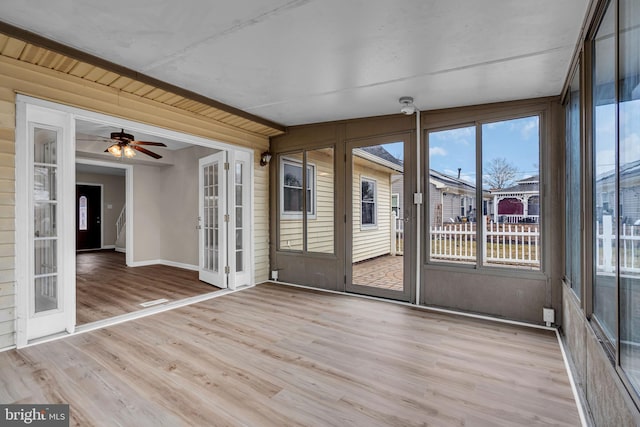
(106, 287)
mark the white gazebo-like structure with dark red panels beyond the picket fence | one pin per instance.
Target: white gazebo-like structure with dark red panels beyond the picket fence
(518, 203)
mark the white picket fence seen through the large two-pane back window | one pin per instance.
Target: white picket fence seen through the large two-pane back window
(508, 244)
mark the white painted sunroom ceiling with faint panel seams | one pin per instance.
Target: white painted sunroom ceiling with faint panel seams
(305, 61)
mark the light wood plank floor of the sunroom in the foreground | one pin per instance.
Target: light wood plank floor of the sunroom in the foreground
(279, 356)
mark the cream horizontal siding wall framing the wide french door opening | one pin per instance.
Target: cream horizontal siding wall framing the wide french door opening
(43, 83)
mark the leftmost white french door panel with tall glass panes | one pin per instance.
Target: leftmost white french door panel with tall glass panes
(45, 151)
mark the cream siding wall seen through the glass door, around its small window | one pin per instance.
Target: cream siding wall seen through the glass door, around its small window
(374, 241)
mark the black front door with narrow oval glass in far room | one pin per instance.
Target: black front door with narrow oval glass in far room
(88, 208)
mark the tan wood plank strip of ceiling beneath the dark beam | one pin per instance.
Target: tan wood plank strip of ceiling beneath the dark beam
(23, 51)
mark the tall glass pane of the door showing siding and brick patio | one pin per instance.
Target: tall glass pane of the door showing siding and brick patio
(379, 213)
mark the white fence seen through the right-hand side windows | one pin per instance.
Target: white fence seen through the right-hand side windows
(606, 247)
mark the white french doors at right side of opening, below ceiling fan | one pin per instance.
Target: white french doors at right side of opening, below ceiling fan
(224, 219)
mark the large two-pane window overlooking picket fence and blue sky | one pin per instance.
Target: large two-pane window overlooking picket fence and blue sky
(506, 233)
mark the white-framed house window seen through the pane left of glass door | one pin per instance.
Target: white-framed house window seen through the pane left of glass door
(292, 193)
